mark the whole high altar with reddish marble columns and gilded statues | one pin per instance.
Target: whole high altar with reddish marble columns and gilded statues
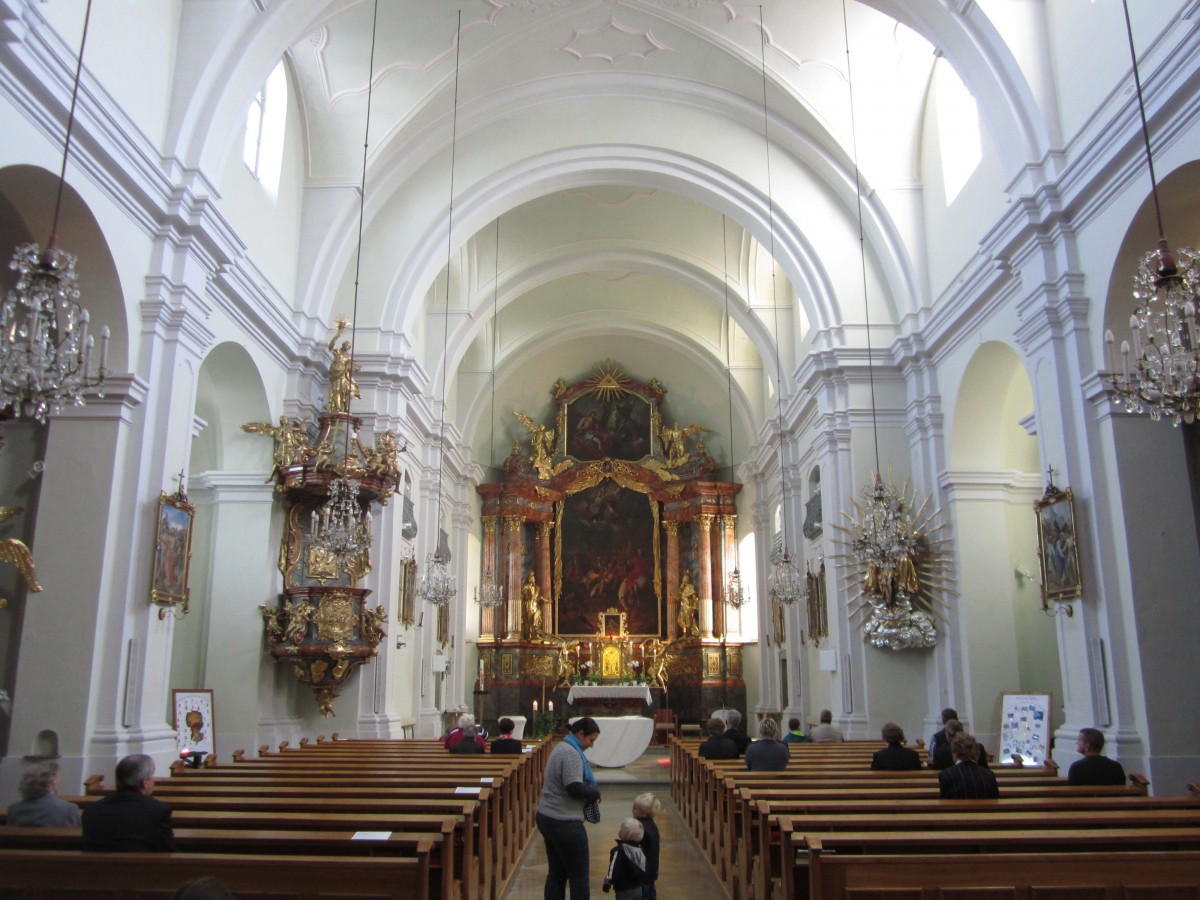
(614, 542)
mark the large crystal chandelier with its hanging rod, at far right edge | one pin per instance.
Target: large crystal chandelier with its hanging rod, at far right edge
(1165, 380)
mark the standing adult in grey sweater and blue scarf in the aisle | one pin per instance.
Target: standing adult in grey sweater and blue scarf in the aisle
(568, 787)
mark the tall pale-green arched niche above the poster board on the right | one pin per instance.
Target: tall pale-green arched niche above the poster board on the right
(1010, 644)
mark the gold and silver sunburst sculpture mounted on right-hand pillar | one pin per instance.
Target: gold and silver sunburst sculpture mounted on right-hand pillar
(898, 565)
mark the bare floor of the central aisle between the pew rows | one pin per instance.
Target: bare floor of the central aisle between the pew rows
(683, 872)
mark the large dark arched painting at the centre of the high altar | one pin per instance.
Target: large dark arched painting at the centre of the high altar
(609, 560)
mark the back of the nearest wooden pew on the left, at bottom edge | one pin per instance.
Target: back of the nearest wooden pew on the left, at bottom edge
(69, 875)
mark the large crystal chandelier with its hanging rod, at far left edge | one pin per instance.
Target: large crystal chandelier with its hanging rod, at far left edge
(46, 351)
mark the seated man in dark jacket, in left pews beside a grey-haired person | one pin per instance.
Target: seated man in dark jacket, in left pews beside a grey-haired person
(130, 819)
